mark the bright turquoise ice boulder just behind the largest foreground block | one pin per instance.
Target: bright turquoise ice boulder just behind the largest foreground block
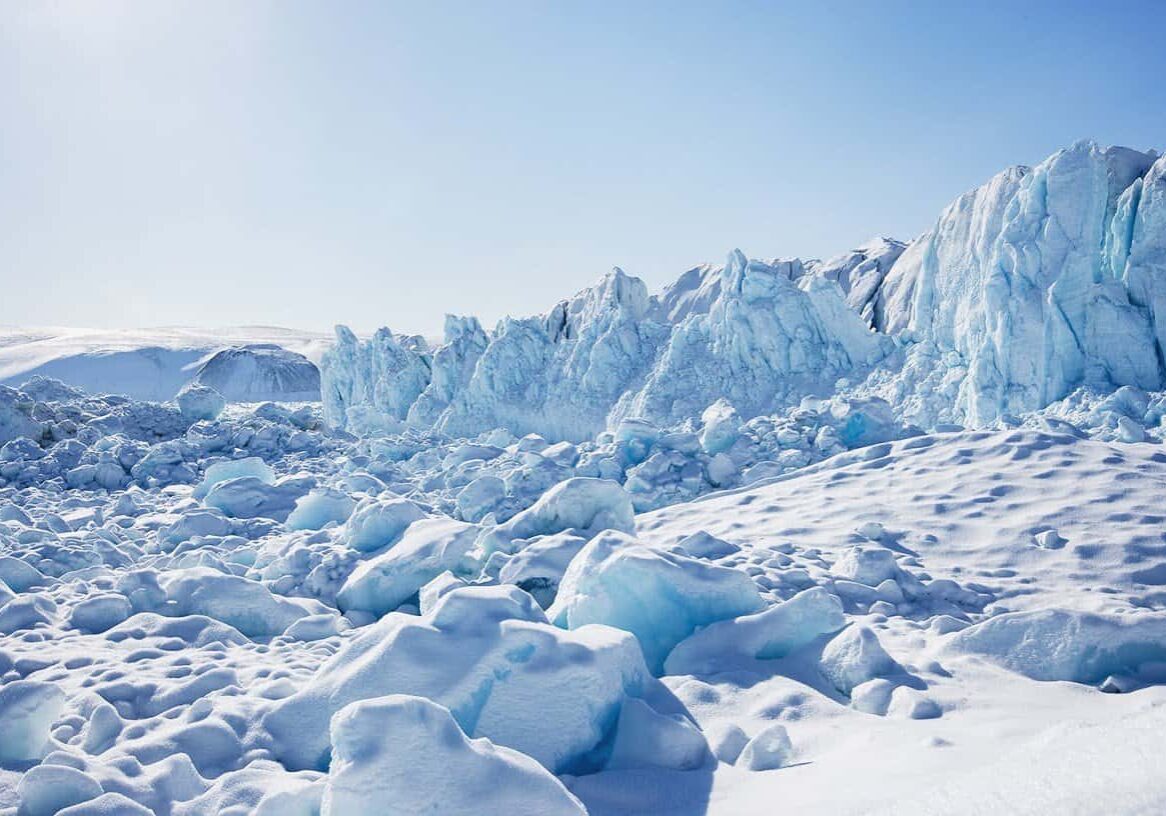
(659, 597)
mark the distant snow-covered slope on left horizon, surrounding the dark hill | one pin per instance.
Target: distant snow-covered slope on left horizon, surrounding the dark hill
(146, 364)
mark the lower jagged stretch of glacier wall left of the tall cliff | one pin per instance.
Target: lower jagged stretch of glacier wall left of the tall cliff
(761, 334)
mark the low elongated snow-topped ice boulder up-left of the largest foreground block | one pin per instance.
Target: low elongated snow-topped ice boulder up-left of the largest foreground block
(248, 606)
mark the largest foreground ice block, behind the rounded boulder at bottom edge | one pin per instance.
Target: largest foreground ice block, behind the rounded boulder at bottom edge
(488, 655)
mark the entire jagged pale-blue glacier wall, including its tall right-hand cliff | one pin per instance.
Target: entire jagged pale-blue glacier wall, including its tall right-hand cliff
(1038, 283)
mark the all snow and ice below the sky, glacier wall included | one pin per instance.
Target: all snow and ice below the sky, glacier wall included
(879, 534)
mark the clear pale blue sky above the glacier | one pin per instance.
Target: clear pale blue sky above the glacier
(306, 164)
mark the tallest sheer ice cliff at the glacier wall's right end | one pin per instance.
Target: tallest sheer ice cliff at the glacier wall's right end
(1041, 282)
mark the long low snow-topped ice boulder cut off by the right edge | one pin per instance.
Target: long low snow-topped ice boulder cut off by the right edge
(1066, 645)
